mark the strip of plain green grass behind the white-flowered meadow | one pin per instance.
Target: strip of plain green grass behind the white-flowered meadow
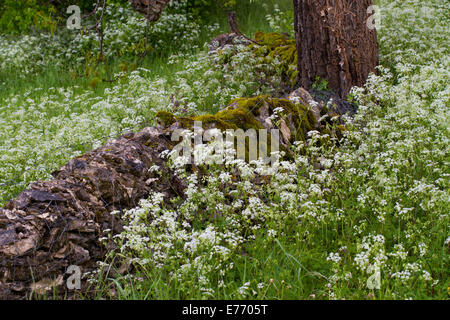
(251, 18)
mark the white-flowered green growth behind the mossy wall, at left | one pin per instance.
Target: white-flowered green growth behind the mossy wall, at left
(58, 81)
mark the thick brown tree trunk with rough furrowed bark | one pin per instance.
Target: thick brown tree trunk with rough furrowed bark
(335, 43)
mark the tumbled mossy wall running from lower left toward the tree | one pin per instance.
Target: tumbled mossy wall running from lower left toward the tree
(58, 223)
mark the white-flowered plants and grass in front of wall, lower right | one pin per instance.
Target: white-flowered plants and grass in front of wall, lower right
(321, 228)
